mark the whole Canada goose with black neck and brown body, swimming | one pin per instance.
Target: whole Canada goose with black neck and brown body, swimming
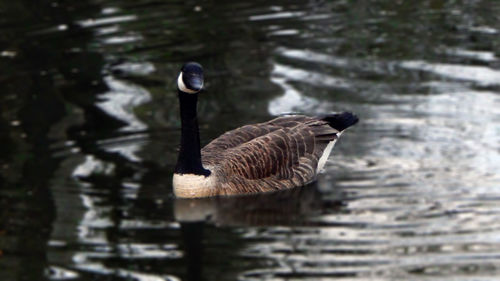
(282, 153)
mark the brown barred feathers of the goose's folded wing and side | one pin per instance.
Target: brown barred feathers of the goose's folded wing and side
(278, 154)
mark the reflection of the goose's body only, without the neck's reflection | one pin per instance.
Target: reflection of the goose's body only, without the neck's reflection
(292, 207)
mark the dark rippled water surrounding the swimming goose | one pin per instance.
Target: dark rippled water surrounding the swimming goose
(89, 131)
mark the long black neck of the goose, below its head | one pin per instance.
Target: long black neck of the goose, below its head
(189, 161)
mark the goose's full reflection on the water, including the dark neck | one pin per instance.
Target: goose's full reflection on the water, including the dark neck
(293, 207)
